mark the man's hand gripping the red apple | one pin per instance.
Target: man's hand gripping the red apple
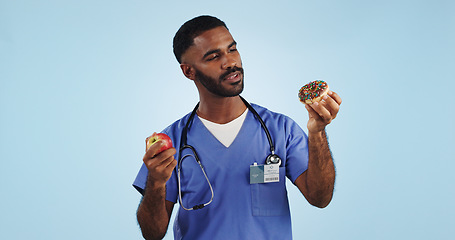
(160, 166)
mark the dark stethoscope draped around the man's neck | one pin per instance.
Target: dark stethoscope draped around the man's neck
(272, 158)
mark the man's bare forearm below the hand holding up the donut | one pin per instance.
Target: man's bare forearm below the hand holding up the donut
(321, 170)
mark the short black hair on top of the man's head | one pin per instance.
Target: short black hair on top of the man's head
(184, 37)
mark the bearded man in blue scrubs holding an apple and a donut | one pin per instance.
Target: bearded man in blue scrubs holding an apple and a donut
(219, 201)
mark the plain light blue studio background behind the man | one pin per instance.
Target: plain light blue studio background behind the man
(83, 83)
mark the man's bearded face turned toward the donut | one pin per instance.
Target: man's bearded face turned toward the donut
(216, 63)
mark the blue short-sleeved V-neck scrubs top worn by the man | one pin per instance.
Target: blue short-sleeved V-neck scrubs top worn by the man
(239, 210)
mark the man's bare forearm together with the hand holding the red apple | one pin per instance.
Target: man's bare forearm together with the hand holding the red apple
(154, 211)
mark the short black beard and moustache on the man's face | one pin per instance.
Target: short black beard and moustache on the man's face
(215, 85)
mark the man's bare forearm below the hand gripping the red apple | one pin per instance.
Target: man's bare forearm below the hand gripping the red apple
(152, 215)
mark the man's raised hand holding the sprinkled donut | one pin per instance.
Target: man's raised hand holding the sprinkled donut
(323, 112)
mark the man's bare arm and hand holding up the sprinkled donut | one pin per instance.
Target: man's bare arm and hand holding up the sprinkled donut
(317, 182)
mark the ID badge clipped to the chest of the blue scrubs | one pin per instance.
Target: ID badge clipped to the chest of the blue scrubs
(264, 173)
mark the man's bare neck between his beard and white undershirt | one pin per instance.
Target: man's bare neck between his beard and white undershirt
(221, 109)
